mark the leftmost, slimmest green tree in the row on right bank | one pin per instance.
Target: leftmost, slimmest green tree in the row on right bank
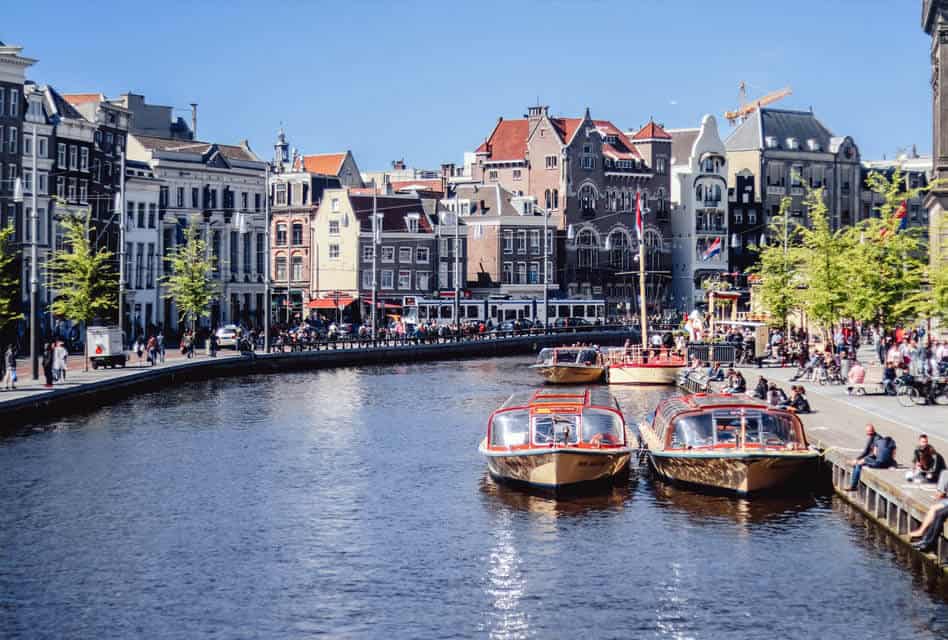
(777, 267)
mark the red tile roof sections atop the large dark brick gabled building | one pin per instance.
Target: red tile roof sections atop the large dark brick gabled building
(508, 141)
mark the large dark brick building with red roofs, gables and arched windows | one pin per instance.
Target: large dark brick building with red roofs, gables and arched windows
(588, 173)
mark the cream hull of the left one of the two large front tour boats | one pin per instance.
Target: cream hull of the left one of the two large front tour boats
(560, 468)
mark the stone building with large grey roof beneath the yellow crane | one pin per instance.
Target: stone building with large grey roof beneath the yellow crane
(787, 151)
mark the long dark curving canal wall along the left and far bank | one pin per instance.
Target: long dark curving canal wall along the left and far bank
(24, 408)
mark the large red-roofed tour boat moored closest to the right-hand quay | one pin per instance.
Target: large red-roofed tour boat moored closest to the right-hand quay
(727, 442)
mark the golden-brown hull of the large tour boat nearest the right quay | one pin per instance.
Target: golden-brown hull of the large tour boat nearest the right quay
(741, 473)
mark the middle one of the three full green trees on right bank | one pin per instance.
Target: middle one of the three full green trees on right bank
(823, 257)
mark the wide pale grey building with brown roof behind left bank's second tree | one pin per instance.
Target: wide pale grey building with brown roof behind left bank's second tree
(208, 184)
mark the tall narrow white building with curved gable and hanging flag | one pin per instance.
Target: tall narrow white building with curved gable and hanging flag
(699, 220)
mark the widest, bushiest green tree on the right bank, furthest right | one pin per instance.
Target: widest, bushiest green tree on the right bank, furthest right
(887, 267)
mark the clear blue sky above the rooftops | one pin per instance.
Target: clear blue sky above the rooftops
(427, 81)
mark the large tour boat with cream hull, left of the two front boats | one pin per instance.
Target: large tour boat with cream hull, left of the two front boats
(553, 440)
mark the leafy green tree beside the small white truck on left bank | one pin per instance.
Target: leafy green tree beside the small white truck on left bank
(84, 279)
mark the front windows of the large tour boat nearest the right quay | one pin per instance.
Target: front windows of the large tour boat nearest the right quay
(736, 428)
